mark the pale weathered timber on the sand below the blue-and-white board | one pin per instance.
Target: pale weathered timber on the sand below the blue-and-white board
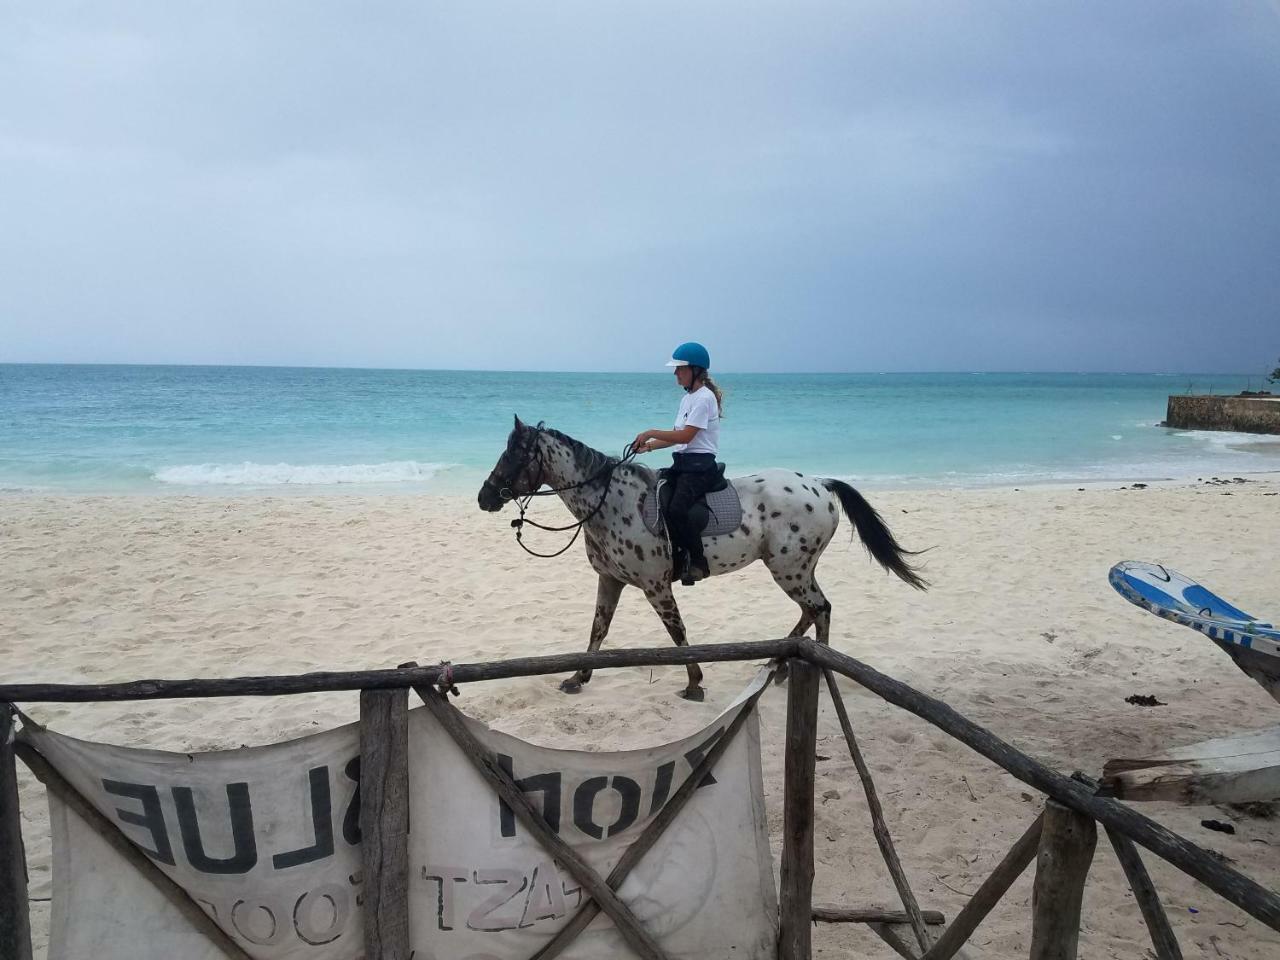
(1227, 771)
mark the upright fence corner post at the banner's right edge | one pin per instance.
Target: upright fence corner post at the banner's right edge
(796, 907)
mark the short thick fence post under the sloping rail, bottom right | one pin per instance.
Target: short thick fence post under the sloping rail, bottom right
(1066, 853)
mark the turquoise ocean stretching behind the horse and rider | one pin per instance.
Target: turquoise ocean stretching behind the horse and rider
(276, 431)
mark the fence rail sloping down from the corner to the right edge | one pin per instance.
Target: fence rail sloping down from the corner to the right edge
(1196, 862)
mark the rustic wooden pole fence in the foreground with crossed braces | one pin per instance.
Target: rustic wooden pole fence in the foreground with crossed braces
(1062, 840)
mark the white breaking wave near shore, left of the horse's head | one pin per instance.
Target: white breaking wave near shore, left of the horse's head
(248, 474)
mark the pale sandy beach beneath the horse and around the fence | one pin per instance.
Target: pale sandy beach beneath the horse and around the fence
(1021, 633)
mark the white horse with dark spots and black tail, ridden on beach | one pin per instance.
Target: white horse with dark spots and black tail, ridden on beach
(788, 522)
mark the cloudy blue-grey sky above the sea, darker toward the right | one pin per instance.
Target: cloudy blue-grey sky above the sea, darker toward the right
(582, 186)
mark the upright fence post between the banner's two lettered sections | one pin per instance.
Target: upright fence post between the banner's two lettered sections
(385, 821)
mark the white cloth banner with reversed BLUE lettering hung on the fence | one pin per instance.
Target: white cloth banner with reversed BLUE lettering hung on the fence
(267, 840)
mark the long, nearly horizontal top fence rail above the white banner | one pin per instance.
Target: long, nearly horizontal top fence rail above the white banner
(396, 679)
